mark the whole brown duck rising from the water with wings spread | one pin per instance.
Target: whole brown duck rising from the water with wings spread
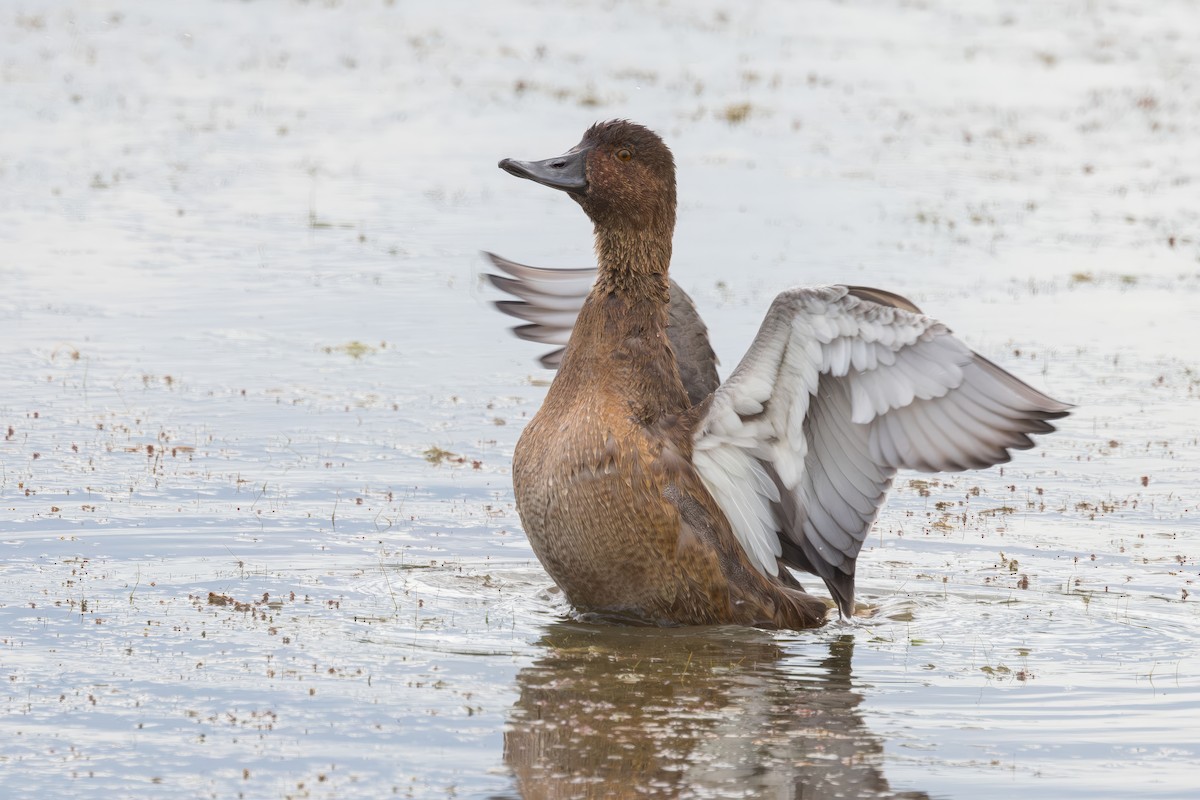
(655, 494)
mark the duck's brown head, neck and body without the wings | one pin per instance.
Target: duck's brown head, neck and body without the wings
(604, 479)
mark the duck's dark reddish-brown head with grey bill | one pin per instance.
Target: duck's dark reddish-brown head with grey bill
(621, 173)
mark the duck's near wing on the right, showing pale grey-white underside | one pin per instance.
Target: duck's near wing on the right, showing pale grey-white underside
(841, 388)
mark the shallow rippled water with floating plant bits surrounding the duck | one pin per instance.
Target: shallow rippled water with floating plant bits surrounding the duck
(257, 417)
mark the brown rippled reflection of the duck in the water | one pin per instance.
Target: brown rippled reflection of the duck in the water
(633, 712)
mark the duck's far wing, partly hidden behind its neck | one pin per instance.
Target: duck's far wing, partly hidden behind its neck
(550, 300)
